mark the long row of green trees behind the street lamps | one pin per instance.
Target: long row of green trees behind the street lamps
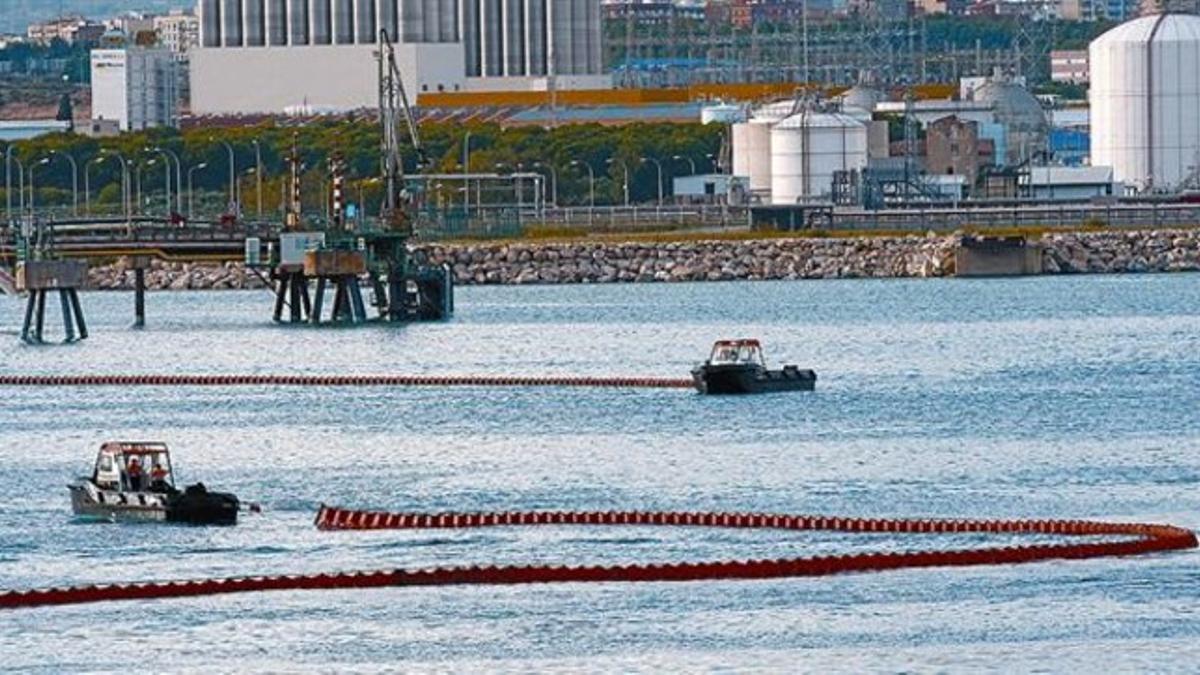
(563, 153)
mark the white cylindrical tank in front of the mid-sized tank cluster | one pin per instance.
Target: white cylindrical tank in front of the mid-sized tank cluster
(808, 148)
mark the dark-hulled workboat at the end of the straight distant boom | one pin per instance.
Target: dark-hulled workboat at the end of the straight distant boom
(737, 367)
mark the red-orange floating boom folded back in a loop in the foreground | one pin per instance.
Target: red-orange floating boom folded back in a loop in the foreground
(1131, 540)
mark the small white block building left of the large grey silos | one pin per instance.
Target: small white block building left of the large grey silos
(136, 87)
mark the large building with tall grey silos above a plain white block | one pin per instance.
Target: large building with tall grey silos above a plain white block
(321, 53)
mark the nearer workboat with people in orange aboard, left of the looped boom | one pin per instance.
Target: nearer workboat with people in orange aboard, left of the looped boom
(136, 482)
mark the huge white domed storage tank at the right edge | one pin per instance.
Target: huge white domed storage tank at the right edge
(1145, 100)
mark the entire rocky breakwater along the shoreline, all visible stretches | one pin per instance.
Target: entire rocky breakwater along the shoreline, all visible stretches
(614, 262)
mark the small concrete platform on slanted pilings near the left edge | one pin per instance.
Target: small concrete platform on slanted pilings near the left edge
(40, 279)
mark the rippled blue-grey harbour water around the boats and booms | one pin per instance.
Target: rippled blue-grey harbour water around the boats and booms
(1059, 398)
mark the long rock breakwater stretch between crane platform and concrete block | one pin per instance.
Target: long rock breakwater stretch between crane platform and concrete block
(698, 261)
